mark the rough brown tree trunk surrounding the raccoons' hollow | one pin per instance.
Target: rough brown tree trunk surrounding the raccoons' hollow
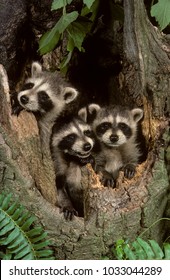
(110, 214)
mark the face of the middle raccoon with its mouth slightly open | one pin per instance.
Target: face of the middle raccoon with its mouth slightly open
(75, 139)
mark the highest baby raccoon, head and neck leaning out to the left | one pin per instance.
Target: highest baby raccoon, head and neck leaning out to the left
(48, 96)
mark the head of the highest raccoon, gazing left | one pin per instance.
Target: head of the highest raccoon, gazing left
(45, 91)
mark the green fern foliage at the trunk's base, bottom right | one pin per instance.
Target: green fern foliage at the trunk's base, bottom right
(141, 250)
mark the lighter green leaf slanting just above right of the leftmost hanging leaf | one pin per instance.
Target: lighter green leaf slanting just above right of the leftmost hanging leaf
(65, 21)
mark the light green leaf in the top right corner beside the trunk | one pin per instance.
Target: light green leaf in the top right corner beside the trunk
(161, 11)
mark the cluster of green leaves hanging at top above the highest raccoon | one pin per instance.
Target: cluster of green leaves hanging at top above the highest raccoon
(75, 25)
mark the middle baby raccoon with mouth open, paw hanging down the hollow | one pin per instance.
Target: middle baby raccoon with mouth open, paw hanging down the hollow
(71, 146)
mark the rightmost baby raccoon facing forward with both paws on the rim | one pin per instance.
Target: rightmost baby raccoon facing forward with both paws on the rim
(115, 128)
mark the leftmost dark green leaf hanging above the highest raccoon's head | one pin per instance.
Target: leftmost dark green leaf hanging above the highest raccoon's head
(49, 41)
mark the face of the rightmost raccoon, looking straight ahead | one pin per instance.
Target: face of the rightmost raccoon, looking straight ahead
(114, 127)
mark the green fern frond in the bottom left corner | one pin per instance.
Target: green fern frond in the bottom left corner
(19, 238)
